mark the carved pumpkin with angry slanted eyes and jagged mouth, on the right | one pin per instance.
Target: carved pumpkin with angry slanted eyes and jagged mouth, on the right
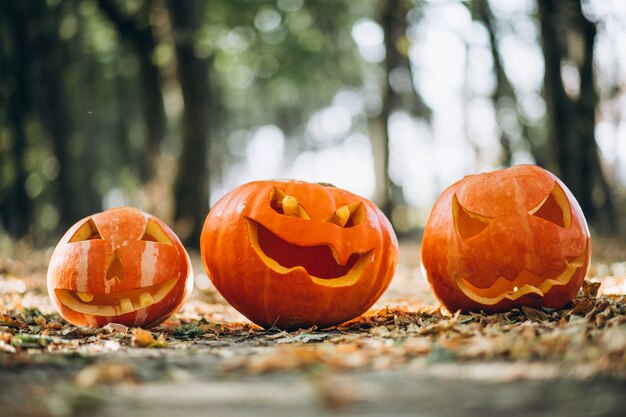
(509, 238)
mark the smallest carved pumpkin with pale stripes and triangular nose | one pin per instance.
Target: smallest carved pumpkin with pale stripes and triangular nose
(128, 266)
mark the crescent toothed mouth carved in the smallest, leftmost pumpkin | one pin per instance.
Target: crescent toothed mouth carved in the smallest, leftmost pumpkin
(109, 305)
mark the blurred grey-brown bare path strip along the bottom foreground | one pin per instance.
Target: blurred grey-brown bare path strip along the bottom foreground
(175, 383)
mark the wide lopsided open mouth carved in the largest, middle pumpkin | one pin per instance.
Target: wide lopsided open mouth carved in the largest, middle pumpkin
(320, 261)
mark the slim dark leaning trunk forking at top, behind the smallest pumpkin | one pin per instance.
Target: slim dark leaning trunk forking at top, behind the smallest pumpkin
(136, 30)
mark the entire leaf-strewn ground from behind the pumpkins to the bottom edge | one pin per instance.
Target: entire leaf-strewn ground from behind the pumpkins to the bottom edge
(404, 356)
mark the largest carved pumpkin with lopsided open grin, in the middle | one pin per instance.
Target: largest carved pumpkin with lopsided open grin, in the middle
(279, 270)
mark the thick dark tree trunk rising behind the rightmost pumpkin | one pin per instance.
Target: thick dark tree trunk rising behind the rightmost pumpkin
(568, 37)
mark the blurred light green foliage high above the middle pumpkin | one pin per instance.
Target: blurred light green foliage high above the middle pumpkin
(295, 59)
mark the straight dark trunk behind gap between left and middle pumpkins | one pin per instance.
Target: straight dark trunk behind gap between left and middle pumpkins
(191, 186)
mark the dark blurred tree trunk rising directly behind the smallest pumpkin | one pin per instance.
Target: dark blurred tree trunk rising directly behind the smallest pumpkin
(53, 60)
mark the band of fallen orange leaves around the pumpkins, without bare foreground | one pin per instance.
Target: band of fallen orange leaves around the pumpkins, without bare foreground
(406, 329)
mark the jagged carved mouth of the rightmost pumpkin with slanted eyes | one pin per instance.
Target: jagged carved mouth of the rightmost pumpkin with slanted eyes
(525, 283)
